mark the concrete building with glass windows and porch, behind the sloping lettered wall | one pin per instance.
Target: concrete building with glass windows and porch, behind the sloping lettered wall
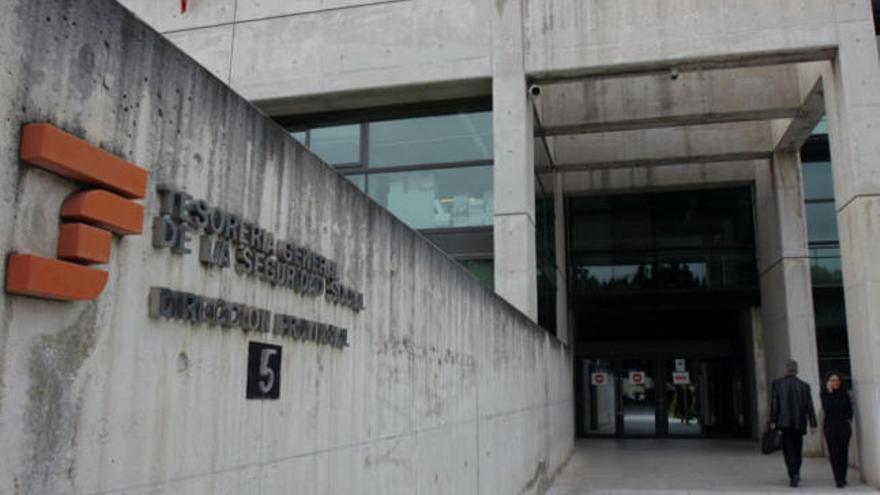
(650, 181)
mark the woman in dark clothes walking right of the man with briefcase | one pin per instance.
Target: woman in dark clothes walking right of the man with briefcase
(838, 409)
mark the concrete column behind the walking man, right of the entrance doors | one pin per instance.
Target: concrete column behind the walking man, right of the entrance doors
(789, 325)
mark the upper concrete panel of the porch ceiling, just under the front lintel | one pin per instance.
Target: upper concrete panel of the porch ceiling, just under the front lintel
(692, 98)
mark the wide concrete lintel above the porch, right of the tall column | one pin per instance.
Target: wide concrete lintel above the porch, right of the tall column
(572, 38)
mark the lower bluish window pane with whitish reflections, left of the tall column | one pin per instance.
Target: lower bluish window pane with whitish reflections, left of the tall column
(426, 199)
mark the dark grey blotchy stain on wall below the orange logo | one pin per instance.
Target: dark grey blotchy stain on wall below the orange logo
(52, 410)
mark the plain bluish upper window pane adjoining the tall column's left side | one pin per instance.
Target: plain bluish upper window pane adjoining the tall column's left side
(438, 139)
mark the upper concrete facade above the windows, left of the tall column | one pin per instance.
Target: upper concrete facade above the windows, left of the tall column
(272, 49)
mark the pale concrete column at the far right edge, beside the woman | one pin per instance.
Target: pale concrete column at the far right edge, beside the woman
(852, 98)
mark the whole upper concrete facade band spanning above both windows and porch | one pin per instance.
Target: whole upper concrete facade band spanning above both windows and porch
(260, 46)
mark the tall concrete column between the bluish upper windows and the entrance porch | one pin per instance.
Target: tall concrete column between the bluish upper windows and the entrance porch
(515, 257)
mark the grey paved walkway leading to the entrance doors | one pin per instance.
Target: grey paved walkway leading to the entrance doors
(674, 467)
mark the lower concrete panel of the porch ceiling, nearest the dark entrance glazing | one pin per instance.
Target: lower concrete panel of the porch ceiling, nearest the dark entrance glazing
(665, 146)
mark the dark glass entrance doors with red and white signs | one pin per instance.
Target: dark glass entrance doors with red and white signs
(662, 396)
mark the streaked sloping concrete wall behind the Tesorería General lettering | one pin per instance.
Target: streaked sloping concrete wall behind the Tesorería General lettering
(445, 388)
